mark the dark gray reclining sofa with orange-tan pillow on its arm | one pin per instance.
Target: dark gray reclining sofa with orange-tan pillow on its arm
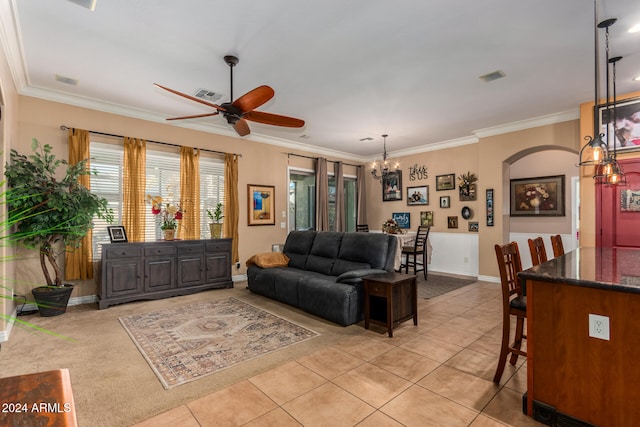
(324, 273)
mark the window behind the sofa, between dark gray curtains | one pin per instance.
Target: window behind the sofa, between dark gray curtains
(302, 199)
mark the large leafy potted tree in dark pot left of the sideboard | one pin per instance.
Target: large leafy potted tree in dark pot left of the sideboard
(51, 212)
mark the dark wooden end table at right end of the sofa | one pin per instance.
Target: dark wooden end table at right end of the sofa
(390, 299)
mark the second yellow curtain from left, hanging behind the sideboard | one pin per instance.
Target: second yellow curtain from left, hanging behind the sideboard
(134, 184)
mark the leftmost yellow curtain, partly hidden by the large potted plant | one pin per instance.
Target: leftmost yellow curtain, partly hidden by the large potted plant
(78, 262)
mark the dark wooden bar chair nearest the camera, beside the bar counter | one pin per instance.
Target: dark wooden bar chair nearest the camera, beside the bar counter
(514, 303)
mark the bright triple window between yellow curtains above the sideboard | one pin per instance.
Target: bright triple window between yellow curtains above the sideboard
(163, 178)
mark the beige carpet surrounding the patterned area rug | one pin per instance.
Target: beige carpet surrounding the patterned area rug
(112, 383)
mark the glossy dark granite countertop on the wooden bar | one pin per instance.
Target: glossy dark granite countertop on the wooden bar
(604, 268)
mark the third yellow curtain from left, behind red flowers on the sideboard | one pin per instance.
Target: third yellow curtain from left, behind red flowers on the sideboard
(189, 228)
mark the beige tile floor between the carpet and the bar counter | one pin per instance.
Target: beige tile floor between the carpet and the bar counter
(438, 373)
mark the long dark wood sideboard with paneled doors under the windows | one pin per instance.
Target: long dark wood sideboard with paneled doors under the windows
(155, 270)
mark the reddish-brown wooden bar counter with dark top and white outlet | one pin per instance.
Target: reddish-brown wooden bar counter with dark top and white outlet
(572, 377)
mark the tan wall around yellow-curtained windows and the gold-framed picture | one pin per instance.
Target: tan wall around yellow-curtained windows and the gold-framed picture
(261, 164)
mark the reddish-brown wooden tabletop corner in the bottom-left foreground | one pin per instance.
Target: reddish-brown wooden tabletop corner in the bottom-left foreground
(40, 399)
